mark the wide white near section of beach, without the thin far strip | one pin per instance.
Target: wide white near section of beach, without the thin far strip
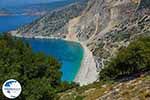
(87, 73)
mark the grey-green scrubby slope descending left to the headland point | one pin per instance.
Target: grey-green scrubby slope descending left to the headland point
(54, 22)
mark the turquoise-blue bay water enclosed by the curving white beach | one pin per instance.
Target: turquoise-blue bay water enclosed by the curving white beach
(70, 54)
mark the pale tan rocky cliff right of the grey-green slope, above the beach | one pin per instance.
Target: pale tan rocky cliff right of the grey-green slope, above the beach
(107, 25)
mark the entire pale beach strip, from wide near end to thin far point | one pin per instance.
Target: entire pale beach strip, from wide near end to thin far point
(87, 72)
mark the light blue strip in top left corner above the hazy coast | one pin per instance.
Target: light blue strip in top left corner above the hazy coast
(5, 3)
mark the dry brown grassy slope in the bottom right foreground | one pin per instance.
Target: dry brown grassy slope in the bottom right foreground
(135, 89)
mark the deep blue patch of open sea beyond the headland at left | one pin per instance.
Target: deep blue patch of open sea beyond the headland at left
(8, 23)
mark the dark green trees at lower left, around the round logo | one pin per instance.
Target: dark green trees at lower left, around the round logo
(39, 75)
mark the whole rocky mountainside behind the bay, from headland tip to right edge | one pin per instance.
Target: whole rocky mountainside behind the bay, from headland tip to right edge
(104, 26)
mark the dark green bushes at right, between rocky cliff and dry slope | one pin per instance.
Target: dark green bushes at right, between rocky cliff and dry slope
(134, 58)
